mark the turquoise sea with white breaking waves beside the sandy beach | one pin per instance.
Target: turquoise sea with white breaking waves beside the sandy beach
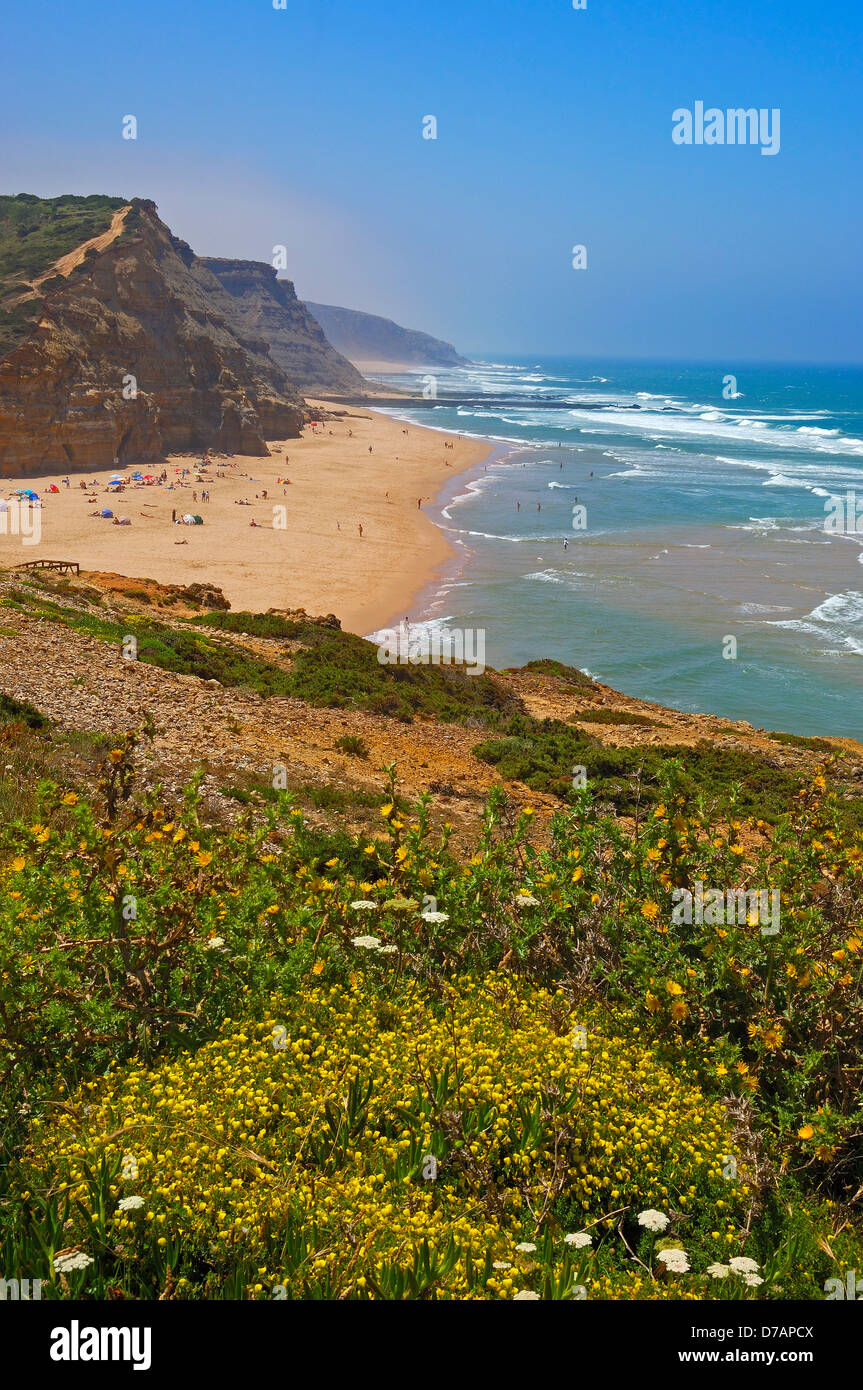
(707, 505)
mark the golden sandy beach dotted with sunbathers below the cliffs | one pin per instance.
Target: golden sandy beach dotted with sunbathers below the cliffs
(358, 471)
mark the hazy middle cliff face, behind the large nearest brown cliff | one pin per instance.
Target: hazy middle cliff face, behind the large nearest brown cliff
(268, 308)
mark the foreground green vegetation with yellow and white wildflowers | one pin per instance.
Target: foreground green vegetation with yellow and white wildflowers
(273, 1060)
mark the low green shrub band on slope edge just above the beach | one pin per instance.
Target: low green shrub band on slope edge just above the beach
(327, 668)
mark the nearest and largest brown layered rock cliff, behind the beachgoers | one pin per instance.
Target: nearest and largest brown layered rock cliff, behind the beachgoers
(138, 354)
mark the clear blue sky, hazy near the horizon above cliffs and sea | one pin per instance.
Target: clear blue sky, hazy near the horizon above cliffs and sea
(304, 127)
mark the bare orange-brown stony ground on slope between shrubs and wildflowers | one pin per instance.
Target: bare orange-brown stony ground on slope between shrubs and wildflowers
(85, 686)
